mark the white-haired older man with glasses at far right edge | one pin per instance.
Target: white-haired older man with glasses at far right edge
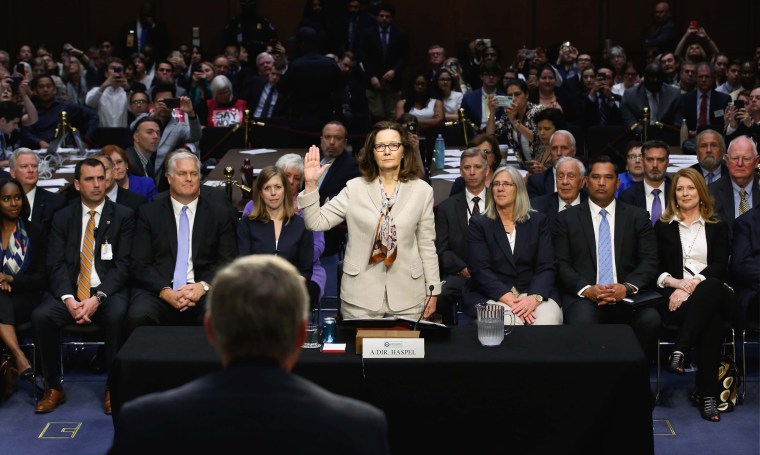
(741, 191)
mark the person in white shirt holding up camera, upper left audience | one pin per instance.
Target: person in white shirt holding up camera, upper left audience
(110, 100)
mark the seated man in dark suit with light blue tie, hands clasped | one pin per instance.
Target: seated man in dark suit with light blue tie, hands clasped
(606, 251)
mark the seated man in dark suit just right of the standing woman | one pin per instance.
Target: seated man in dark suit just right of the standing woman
(451, 222)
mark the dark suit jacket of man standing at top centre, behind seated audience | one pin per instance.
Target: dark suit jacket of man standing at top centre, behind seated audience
(371, 53)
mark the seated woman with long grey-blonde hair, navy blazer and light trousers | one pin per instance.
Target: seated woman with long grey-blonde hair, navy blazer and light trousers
(510, 256)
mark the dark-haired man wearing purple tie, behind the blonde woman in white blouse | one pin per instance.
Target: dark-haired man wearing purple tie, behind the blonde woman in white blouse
(651, 194)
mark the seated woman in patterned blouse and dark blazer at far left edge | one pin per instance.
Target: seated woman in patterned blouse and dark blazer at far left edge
(23, 277)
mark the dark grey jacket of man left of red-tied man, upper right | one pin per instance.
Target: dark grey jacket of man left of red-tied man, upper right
(670, 106)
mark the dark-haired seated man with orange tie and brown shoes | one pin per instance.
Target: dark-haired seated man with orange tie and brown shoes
(88, 260)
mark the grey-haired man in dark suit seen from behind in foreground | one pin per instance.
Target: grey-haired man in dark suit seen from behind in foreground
(254, 399)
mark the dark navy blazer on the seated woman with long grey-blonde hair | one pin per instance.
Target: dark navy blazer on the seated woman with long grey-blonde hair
(495, 269)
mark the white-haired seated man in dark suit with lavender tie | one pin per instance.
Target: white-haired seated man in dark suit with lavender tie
(180, 243)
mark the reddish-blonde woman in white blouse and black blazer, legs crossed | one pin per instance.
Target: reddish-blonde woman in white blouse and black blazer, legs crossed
(694, 248)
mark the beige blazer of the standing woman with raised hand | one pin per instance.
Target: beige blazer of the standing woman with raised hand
(408, 279)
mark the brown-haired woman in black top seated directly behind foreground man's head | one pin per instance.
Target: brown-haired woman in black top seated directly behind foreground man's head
(273, 227)
